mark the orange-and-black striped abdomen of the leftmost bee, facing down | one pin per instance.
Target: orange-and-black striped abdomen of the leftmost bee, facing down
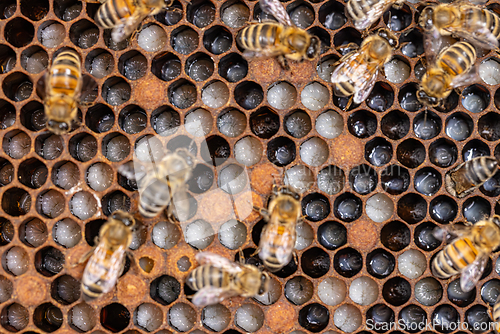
(65, 74)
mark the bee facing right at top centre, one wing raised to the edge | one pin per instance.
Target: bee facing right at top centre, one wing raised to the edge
(282, 40)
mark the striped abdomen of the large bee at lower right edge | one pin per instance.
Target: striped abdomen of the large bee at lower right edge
(454, 258)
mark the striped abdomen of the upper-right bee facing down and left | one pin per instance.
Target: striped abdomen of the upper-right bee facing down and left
(457, 58)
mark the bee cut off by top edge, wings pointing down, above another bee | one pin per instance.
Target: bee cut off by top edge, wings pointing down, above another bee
(364, 13)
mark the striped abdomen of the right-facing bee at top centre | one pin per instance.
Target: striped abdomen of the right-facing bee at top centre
(260, 36)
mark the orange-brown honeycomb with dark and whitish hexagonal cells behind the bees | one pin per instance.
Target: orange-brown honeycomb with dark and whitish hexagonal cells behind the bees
(56, 191)
